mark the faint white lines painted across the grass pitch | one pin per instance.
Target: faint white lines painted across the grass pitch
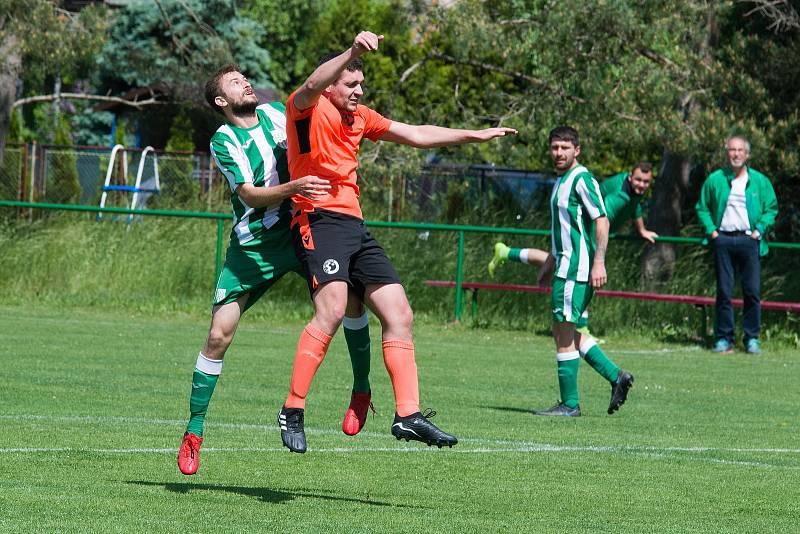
(481, 446)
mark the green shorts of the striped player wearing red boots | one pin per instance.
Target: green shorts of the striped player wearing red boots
(254, 268)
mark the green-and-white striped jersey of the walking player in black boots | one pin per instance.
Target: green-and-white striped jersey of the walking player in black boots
(575, 203)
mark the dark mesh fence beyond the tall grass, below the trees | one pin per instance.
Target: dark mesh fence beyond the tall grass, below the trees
(478, 194)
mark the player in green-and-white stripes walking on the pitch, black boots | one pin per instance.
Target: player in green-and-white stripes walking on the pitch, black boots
(579, 236)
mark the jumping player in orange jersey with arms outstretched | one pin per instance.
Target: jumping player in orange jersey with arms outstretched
(325, 126)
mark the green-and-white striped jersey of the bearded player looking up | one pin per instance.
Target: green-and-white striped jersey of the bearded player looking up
(254, 155)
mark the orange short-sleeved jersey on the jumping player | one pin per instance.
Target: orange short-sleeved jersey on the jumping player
(324, 142)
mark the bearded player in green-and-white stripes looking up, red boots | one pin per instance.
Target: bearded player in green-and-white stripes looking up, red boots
(250, 151)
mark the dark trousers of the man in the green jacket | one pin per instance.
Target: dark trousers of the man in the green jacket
(737, 254)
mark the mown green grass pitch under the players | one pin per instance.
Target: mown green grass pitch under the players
(92, 407)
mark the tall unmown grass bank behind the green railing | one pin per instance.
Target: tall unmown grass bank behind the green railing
(160, 264)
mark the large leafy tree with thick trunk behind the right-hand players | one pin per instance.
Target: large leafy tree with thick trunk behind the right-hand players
(664, 80)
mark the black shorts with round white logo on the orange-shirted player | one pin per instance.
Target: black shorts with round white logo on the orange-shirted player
(335, 246)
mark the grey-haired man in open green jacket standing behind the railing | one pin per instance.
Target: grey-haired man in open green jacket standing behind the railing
(737, 207)
